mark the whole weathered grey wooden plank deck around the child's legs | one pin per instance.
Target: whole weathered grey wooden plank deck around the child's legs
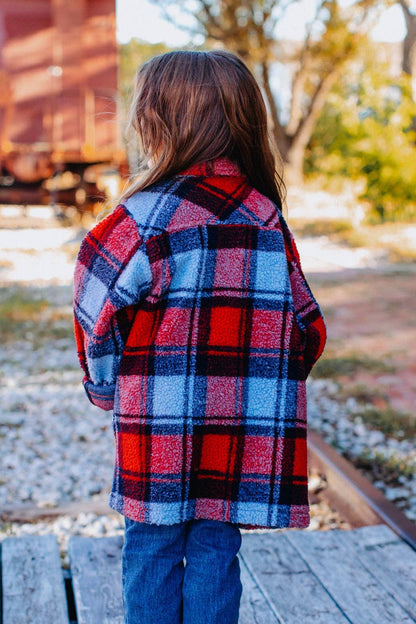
(323, 577)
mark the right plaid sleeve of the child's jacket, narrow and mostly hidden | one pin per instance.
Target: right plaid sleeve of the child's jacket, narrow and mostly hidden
(308, 313)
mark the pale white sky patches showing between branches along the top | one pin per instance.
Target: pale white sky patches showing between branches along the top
(142, 19)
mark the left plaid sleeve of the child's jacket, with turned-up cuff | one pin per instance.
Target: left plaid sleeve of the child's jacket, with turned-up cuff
(112, 272)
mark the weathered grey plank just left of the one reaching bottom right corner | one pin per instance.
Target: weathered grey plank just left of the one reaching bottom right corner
(287, 582)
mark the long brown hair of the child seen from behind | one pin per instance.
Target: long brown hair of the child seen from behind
(190, 107)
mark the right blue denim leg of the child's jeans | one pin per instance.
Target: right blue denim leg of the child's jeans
(211, 586)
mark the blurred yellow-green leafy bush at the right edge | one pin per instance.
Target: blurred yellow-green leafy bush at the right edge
(366, 131)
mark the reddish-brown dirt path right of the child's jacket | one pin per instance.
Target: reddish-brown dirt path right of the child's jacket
(372, 315)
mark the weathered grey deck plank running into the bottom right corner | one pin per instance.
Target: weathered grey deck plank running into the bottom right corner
(351, 585)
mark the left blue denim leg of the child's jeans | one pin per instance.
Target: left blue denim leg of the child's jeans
(152, 572)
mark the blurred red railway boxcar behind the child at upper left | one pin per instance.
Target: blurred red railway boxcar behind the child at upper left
(58, 90)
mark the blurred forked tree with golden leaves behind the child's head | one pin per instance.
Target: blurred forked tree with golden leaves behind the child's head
(248, 28)
